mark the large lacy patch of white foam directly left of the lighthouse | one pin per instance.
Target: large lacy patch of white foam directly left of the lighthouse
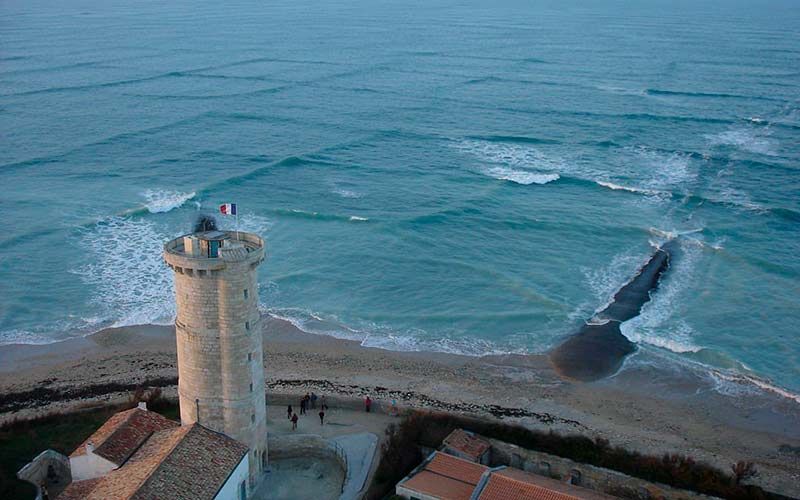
(132, 285)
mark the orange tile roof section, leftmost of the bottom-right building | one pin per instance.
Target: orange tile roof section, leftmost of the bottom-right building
(446, 477)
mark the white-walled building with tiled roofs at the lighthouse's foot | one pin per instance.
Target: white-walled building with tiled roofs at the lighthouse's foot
(138, 454)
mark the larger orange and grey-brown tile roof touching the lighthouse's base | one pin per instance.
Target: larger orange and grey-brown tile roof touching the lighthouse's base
(188, 462)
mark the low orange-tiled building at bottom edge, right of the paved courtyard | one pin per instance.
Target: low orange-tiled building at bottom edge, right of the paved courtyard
(445, 477)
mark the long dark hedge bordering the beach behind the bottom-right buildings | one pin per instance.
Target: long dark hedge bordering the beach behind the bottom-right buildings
(401, 453)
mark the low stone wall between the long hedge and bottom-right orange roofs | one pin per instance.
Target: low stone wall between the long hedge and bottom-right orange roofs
(595, 478)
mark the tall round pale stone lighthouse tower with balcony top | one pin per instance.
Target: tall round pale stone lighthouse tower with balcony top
(220, 363)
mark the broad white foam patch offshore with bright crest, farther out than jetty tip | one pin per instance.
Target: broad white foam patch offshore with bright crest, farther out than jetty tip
(512, 162)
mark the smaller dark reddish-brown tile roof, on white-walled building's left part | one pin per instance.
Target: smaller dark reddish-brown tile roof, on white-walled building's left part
(124, 433)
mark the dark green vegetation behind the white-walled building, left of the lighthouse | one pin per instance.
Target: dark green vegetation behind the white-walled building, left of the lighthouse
(22, 440)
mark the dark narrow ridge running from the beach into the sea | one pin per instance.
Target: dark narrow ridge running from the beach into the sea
(598, 349)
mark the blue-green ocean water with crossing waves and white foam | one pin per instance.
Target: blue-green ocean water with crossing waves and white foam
(472, 177)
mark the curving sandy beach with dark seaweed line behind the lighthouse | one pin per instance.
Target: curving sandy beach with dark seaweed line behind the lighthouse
(643, 408)
